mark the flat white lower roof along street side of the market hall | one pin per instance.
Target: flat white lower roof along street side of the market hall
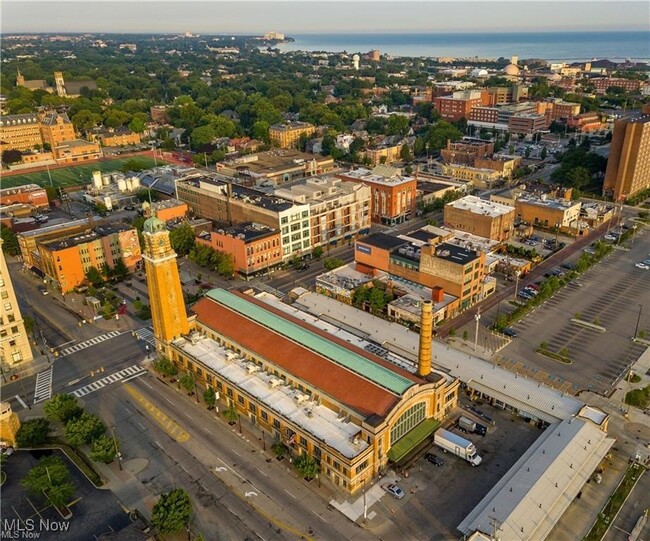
(311, 417)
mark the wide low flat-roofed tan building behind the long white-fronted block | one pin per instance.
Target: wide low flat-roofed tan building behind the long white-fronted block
(275, 167)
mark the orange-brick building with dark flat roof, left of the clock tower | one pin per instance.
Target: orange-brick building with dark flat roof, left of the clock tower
(65, 261)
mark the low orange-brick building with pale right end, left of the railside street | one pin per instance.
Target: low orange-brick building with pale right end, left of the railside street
(545, 212)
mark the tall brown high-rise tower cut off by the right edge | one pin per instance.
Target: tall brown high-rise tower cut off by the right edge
(628, 166)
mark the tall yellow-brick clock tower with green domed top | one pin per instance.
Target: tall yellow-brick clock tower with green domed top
(165, 294)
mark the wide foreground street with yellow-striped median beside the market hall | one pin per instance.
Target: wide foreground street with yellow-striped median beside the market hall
(239, 490)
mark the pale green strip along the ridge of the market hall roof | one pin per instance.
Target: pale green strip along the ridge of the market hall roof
(380, 375)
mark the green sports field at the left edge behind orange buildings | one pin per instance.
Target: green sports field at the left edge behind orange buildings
(73, 175)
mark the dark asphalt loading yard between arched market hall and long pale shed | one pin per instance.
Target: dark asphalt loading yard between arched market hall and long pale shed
(438, 498)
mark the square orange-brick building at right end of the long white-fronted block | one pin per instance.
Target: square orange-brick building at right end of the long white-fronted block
(392, 198)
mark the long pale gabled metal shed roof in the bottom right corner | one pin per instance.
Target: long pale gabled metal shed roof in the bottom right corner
(532, 496)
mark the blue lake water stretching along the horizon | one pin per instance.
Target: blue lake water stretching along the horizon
(545, 45)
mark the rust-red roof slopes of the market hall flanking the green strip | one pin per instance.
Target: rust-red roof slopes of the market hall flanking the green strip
(317, 371)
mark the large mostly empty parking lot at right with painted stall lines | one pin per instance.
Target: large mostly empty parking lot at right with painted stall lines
(614, 295)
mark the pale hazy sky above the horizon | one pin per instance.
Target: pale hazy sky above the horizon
(321, 16)
